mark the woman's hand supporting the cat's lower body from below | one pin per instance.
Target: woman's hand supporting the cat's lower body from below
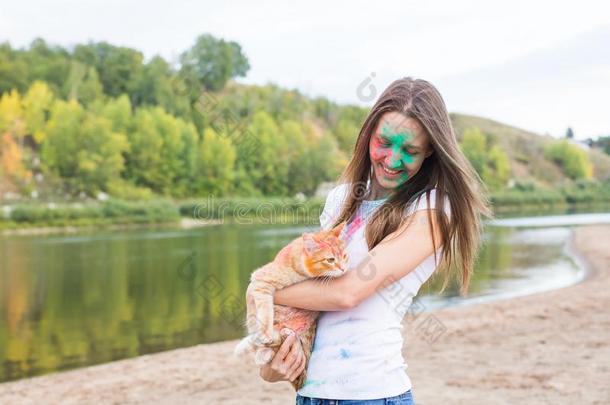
(289, 361)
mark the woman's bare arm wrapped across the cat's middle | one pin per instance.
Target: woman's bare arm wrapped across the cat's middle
(396, 256)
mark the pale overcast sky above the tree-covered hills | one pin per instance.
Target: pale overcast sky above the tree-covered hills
(538, 65)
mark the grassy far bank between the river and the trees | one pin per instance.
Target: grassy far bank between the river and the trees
(271, 210)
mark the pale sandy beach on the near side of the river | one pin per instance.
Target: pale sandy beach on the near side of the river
(546, 348)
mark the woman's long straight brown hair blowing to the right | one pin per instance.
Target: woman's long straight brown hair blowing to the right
(446, 169)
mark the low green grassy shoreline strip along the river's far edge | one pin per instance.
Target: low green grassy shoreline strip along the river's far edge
(31, 218)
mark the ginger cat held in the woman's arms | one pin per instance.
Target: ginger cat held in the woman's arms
(320, 254)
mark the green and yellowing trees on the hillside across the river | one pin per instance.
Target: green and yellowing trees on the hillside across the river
(99, 118)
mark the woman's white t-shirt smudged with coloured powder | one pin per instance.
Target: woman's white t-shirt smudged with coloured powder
(357, 353)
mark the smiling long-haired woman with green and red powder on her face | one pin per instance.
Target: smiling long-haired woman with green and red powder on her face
(413, 205)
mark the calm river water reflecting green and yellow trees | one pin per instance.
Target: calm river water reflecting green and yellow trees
(69, 301)
